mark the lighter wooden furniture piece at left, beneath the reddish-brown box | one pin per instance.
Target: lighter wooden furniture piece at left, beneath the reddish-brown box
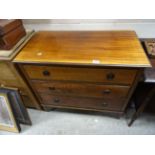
(10, 77)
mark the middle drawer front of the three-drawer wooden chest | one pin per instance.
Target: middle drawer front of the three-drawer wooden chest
(81, 89)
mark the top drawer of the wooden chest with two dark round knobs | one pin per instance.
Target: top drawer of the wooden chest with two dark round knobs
(81, 74)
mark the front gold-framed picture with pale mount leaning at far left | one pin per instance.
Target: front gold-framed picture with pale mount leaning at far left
(7, 120)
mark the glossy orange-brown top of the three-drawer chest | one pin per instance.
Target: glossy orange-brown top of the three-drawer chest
(103, 48)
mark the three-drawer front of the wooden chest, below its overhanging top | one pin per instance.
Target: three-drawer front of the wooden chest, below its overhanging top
(80, 85)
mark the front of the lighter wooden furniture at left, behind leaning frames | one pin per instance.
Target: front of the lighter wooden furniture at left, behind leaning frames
(11, 78)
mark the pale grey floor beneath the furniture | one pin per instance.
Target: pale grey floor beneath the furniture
(80, 123)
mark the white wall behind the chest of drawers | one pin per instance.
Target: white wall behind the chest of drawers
(145, 28)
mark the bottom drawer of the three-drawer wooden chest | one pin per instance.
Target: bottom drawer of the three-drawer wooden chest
(80, 102)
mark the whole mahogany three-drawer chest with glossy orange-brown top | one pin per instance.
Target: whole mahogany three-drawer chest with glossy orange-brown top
(83, 70)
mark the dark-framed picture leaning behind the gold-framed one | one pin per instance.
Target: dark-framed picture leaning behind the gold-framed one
(17, 105)
